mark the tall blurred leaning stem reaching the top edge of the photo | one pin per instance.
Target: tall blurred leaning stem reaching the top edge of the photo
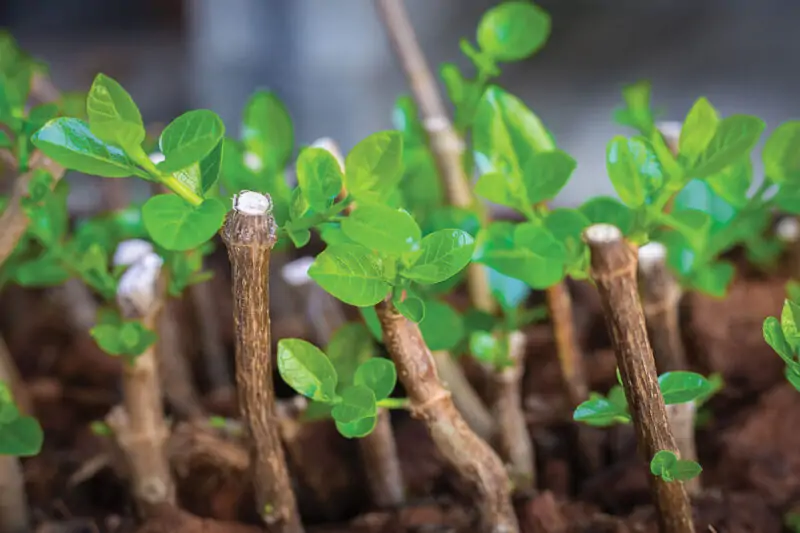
(446, 145)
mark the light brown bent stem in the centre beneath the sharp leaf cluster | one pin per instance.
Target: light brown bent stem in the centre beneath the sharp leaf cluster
(429, 401)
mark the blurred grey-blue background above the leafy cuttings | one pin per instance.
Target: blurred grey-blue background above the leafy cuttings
(331, 64)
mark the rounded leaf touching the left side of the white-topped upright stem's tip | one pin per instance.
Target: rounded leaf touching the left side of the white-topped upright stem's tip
(175, 225)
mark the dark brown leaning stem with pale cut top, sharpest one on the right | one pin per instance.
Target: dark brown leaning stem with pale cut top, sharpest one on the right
(613, 269)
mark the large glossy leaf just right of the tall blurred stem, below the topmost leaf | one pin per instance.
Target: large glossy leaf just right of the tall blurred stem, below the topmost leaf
(507, 134)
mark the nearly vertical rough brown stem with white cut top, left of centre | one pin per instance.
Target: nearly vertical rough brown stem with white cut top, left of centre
(249, 235)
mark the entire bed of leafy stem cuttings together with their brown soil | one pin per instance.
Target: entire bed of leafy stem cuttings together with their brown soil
(382, 349)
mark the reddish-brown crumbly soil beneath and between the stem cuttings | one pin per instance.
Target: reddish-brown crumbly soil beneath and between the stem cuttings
(590, 480)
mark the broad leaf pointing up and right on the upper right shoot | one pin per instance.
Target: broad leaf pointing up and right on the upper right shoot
(734, 139)
